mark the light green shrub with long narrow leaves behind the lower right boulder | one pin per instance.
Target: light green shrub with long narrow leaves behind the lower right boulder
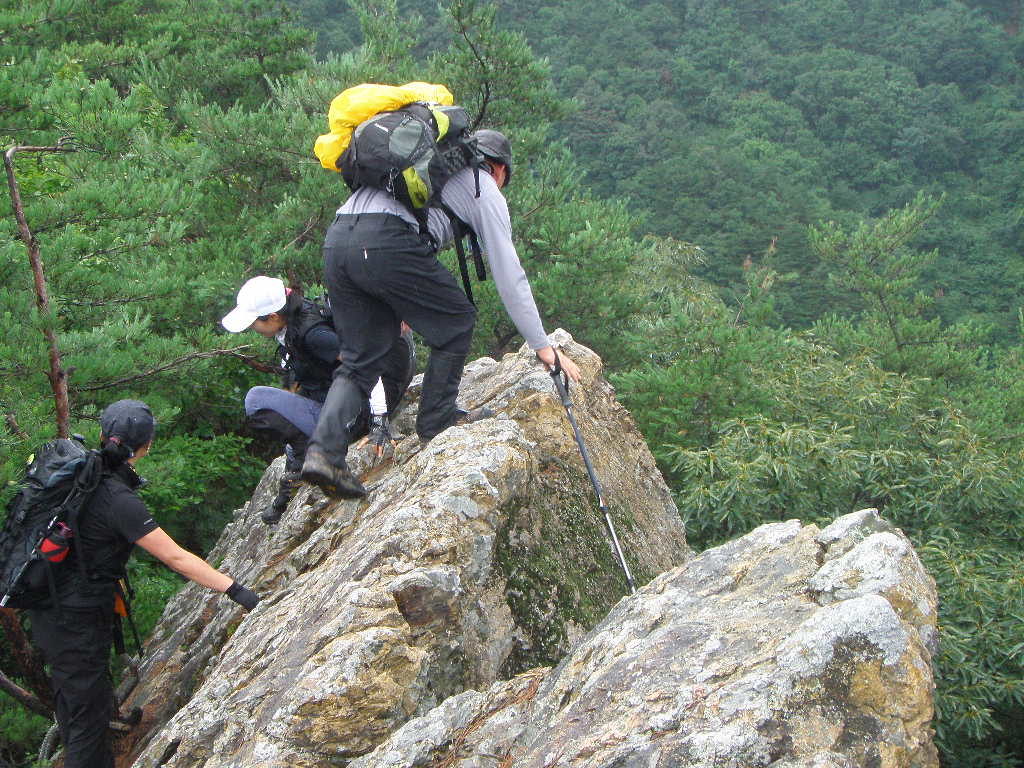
(955, 493)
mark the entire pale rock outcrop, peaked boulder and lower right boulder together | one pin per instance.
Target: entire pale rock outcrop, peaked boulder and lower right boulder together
(459, 618)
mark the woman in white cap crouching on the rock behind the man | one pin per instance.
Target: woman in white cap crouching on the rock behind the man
(309, 345)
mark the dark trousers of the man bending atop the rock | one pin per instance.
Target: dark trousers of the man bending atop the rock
(379, 272)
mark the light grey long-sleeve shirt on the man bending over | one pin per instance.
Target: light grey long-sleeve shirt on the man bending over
(489, 218)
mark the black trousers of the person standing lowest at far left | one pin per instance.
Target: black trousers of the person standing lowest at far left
(77, 648)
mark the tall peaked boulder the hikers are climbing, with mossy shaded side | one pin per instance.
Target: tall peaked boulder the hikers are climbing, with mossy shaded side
(474, 560)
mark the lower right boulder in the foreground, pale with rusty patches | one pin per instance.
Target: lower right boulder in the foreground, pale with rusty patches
(790, 648)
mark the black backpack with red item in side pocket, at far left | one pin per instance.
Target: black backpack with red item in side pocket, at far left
(42, 521)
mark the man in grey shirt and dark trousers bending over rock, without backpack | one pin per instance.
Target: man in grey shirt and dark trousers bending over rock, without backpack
(381, 267)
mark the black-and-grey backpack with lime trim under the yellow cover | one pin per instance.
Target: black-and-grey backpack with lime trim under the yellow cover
(411, 153)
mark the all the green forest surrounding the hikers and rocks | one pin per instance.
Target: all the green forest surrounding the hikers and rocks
(794, 232)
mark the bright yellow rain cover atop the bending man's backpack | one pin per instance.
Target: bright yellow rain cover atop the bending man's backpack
(361, 103)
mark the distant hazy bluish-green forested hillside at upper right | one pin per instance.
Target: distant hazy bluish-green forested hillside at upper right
(736, 125)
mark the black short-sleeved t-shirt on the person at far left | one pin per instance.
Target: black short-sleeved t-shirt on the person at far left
(110, 525)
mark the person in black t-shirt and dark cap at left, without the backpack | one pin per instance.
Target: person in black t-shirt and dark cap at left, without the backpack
(76, 636)
